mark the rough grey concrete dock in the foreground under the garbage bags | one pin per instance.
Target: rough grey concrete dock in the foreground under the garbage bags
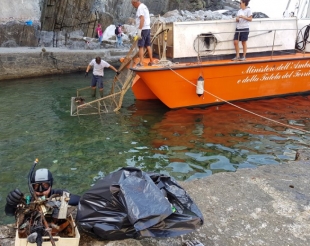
(266, 206)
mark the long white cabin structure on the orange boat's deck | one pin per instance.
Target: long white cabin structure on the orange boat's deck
(214, 39)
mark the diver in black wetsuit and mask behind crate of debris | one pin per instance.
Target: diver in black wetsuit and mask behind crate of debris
(42, 182)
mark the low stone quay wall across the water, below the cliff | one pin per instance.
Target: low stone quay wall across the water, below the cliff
(39, 62)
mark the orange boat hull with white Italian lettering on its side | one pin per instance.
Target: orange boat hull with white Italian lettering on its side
(225, 80)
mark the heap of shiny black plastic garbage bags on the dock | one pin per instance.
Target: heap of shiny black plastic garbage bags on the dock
(130, 203)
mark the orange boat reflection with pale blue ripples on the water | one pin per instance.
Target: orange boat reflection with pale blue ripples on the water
(224, 138)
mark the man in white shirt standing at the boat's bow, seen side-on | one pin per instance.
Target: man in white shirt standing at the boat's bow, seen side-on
(143, 22)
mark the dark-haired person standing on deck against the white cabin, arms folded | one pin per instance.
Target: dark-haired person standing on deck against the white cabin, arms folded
(244, 16)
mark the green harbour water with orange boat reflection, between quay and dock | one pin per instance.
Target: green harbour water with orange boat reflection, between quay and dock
(184, 143)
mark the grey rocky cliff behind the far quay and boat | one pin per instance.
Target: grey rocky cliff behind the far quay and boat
(52, 20)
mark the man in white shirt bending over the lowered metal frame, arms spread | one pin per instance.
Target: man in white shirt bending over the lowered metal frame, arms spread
(98, 72)
